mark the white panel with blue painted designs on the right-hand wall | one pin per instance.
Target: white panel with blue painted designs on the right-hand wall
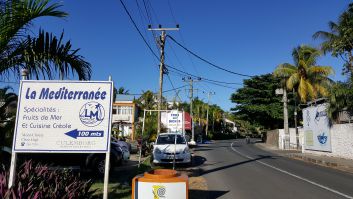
(316, 128)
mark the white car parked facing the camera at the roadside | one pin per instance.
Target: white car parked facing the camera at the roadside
(164, 149)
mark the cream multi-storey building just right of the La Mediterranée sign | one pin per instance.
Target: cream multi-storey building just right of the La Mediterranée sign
(124, 116)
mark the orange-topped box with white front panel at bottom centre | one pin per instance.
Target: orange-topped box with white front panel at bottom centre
(160, 184)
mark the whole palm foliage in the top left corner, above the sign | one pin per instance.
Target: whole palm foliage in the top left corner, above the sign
(42, 55)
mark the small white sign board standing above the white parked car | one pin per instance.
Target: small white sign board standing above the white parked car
(173, 120)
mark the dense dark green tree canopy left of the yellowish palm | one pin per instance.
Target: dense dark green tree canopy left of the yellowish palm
(257, 105)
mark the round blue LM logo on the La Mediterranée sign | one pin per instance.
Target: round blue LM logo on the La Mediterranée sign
(91, 114)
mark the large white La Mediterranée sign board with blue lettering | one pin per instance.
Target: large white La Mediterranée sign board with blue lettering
(63, 116)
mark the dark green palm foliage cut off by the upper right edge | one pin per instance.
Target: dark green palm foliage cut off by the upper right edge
(339, 40)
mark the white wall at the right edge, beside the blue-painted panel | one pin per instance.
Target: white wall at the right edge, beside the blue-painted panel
(341, 142)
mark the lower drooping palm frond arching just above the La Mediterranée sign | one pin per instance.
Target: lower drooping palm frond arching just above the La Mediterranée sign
(46, 55)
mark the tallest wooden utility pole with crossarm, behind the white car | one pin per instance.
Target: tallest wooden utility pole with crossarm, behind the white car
(161, 44)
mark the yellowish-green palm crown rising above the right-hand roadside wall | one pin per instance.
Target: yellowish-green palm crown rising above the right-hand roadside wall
(307, 78)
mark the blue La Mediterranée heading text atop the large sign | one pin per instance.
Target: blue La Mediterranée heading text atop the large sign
(65, 94)
